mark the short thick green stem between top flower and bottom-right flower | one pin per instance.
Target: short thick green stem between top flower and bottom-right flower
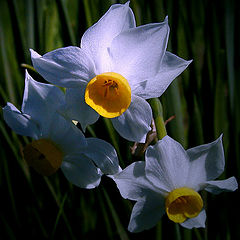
(158, 117)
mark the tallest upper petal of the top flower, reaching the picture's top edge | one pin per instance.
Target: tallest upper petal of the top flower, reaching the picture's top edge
(98, 37)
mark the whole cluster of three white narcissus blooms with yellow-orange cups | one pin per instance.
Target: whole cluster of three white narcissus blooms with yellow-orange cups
(117, 67)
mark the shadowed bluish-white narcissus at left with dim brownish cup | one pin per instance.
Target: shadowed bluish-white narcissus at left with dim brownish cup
(58, 143)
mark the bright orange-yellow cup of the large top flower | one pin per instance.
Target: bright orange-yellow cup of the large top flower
(109, 94)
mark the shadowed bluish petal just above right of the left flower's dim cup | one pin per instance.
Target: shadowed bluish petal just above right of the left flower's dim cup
(66, 135)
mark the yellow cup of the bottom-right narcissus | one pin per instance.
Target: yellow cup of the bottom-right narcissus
(183, 203)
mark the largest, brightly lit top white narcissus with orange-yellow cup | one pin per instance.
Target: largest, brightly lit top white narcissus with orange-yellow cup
(116, 68)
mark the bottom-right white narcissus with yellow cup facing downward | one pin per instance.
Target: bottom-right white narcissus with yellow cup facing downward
(169, 181)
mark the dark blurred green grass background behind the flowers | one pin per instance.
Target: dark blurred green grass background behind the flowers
(204, 100)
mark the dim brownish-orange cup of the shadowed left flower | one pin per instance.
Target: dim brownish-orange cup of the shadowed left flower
(44, 156)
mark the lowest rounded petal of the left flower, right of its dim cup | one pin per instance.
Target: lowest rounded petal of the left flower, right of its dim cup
(80, 171)
